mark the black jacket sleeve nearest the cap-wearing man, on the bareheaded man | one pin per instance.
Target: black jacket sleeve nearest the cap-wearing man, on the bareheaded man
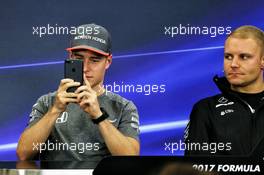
(198, 129)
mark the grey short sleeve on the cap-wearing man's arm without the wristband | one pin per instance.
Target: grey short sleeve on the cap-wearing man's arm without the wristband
(39, 109)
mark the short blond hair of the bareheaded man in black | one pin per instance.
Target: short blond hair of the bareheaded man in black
(248, 31)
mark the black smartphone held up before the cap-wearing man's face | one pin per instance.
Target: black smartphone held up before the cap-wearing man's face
(73, 69)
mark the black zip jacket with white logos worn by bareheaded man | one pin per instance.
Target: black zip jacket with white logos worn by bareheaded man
(227, 118)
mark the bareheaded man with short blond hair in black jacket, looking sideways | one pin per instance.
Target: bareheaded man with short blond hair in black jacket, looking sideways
(232, 122)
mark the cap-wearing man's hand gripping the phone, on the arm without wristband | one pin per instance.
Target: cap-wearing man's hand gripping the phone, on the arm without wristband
(63, 97)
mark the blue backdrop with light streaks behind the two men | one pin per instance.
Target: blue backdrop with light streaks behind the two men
(167, 51)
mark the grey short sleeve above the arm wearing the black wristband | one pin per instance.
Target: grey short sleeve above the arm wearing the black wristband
(129, 123)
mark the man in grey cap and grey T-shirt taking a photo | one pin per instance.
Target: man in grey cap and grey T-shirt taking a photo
(89, 123)
